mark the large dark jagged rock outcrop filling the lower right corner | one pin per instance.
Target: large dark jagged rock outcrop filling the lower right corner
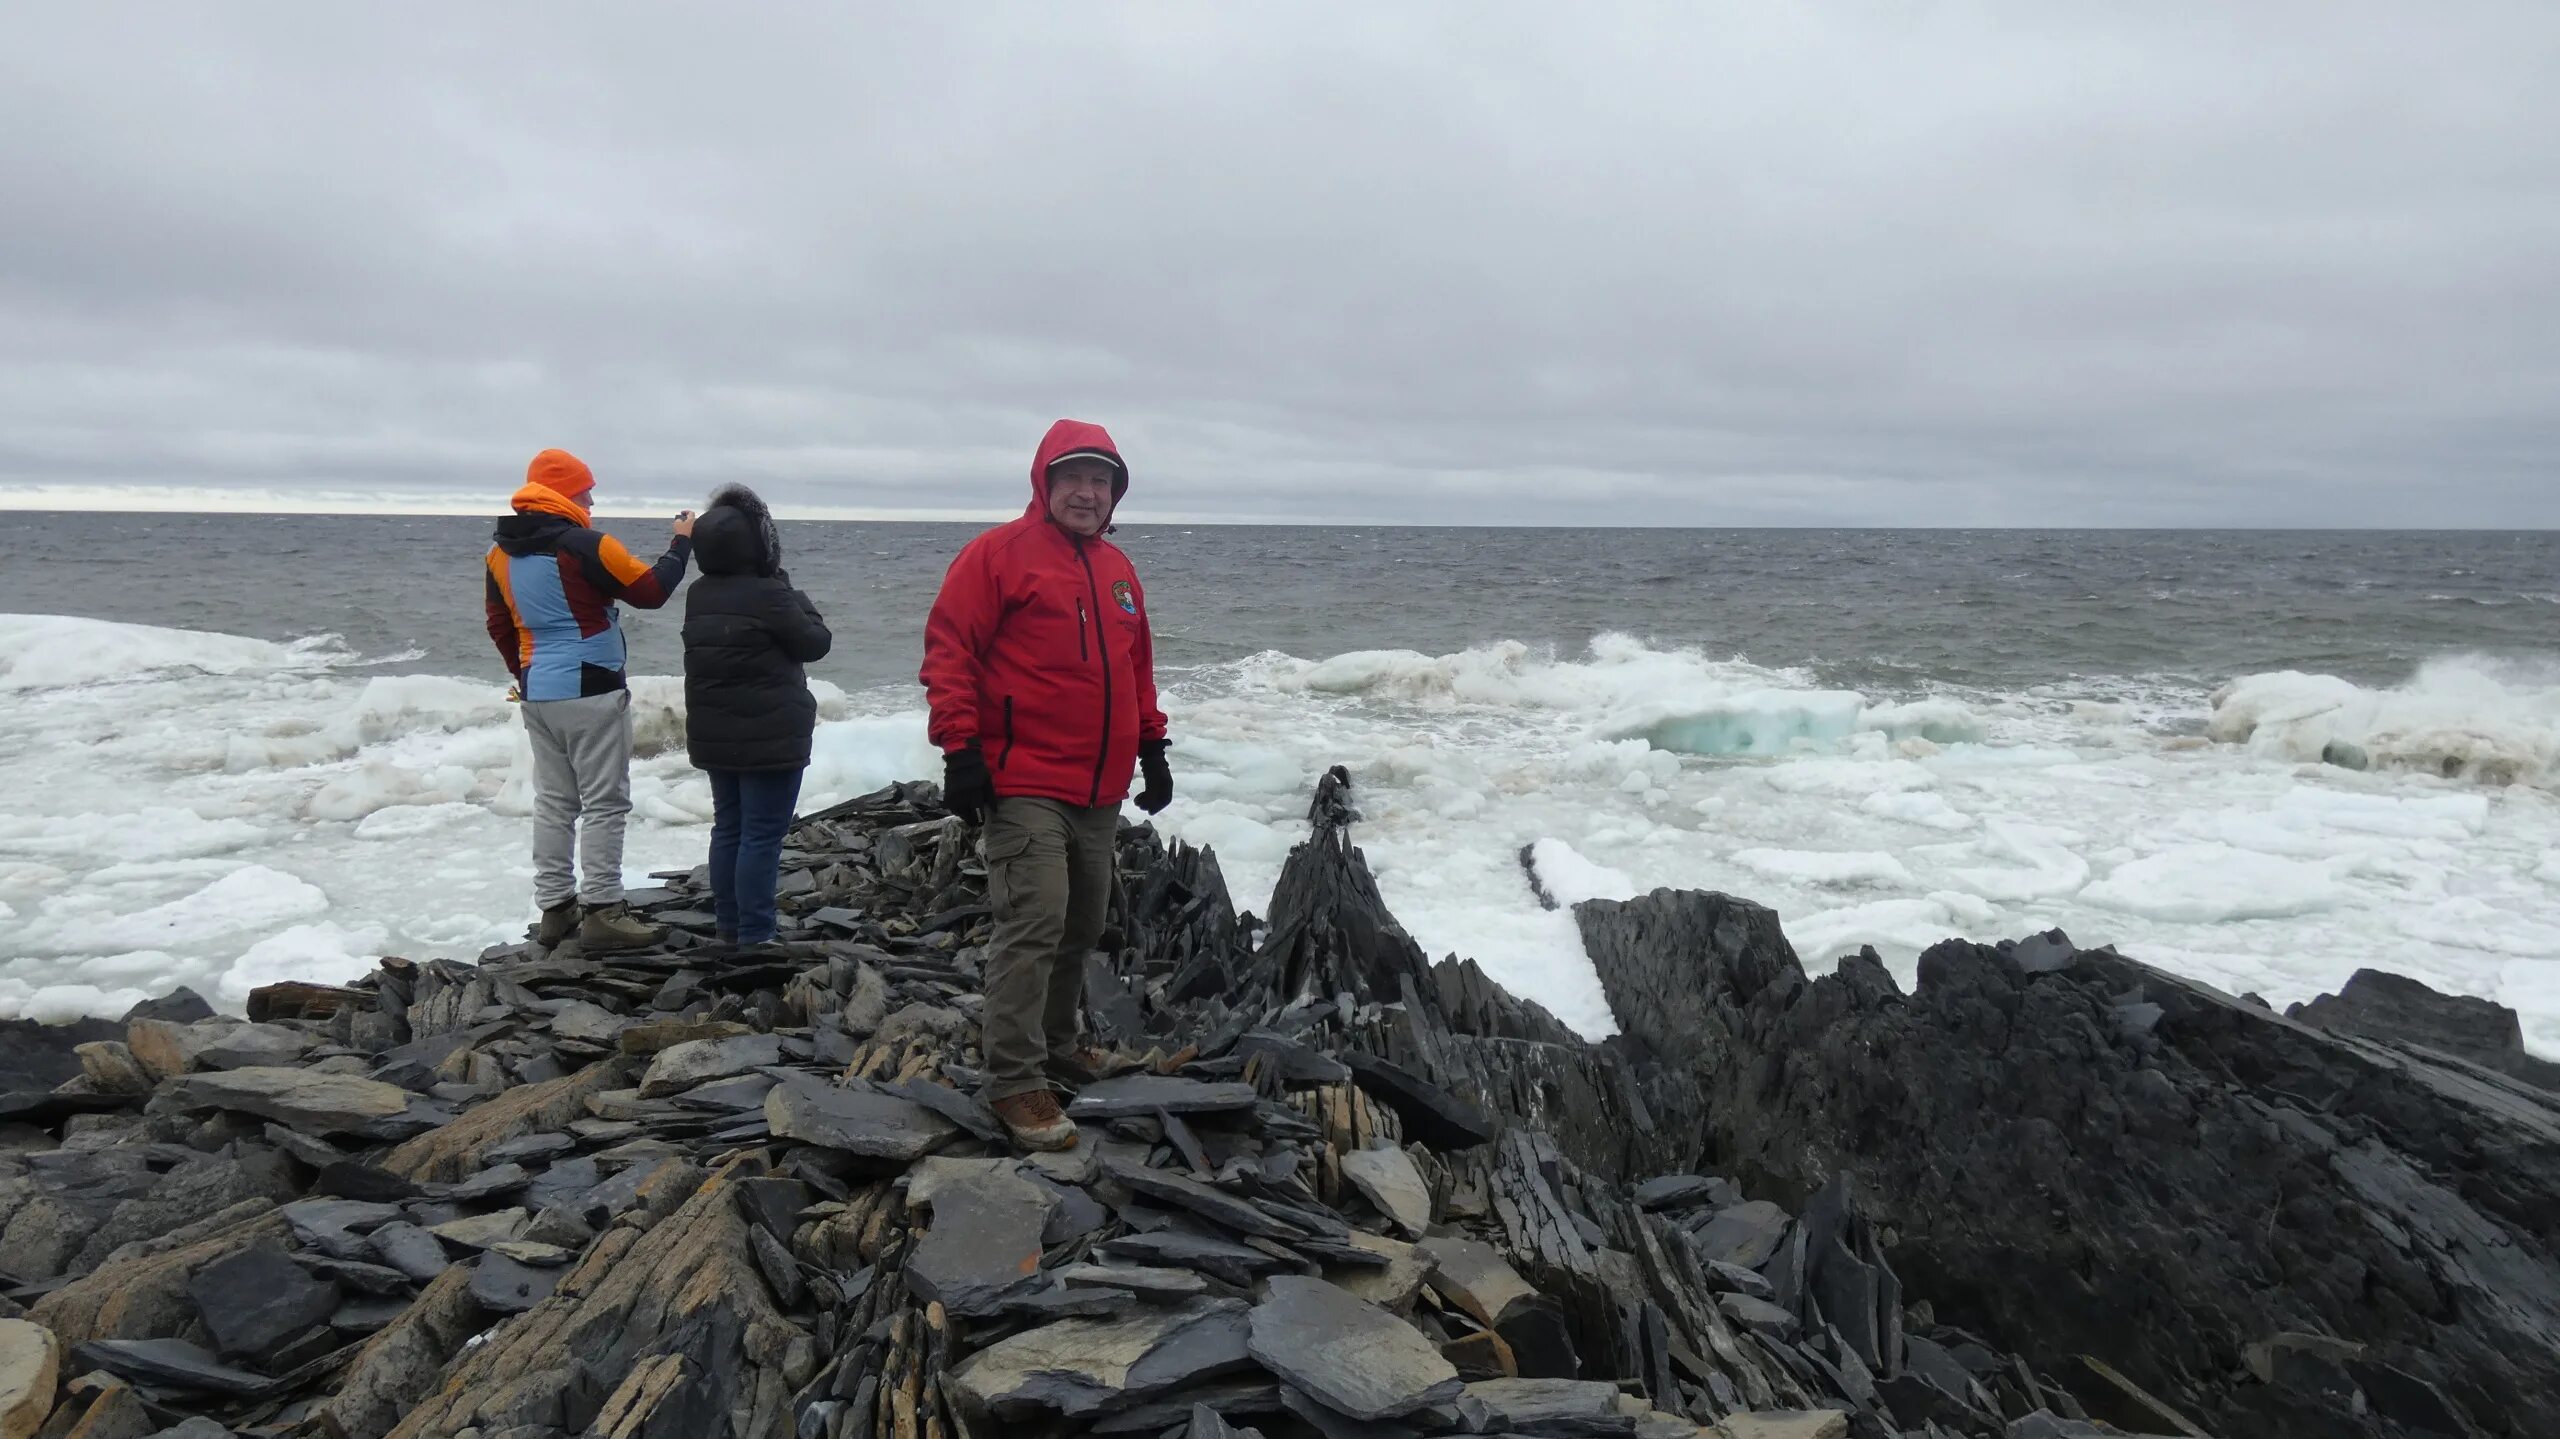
(2259, 1225)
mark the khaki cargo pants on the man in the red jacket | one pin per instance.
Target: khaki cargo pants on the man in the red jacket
(1048, 877)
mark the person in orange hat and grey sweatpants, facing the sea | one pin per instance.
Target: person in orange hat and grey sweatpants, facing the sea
(552, 588)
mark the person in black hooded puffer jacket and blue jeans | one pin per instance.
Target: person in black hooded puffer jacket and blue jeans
(746, 703)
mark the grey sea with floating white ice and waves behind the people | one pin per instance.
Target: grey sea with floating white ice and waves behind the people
(255, 749)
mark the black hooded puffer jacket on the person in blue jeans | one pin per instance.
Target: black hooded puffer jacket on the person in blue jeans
(746, 639)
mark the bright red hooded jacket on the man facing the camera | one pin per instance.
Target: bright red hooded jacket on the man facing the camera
(1038, 649)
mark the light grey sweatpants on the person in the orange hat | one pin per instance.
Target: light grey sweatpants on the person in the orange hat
(582, 795)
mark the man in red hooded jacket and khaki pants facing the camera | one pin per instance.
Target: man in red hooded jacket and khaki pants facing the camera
(1041, 675)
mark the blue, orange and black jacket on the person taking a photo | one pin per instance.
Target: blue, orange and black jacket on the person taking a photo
(552, 595)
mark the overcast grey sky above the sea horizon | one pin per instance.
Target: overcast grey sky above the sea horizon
(1660, 265)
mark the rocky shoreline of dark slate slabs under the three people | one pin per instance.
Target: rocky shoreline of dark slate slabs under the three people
(1340, 1192)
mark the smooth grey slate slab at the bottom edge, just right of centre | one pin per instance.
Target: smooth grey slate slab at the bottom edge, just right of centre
(1348, 1353)
